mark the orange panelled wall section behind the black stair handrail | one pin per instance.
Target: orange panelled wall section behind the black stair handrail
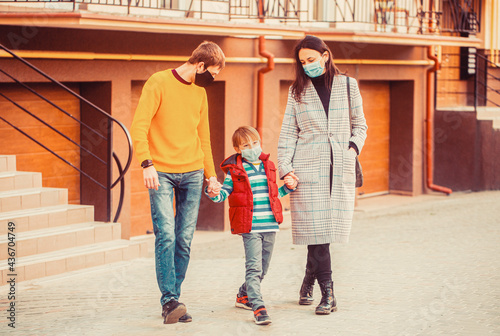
(31, 156)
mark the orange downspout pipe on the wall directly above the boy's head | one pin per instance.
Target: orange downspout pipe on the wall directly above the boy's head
(260, 74)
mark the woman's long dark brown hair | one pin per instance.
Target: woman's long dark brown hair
(314, 43)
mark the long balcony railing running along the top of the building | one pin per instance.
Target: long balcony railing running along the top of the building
(455, 17)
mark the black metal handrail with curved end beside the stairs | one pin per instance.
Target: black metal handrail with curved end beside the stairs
(122, 171)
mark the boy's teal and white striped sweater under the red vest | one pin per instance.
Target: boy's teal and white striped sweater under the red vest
(263, 219)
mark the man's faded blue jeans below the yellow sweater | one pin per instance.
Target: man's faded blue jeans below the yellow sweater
(174, 233)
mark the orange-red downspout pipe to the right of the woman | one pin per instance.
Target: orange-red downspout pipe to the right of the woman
(430, 126)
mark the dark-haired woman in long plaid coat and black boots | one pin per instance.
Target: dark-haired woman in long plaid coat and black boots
(316, 144)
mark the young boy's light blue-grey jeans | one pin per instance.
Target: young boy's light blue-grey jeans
(258, 252)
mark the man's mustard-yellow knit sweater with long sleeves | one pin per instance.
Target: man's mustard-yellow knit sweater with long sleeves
(171, 126)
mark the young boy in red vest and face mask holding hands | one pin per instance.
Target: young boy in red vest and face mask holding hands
(254, 211)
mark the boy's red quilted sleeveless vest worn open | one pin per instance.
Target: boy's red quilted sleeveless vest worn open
(241, 199)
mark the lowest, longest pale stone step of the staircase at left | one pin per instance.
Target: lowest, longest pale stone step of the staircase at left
(72, 259)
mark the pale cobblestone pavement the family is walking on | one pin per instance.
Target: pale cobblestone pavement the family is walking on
(427, 267)
